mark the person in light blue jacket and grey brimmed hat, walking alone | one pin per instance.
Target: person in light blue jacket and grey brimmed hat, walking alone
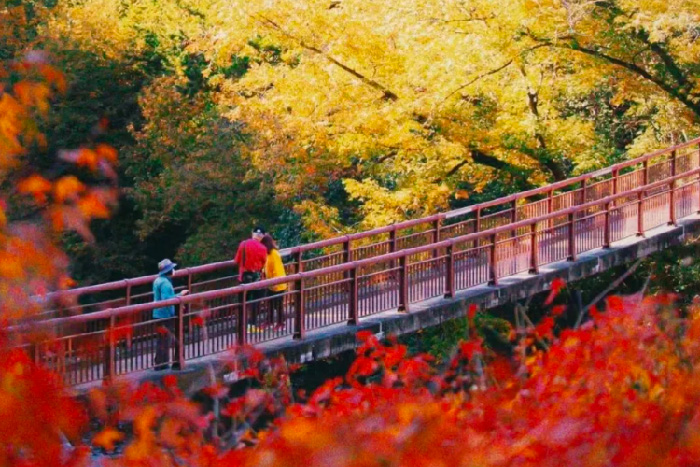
(163, 290)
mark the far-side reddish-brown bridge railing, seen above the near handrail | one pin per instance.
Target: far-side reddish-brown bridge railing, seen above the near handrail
(525, 205)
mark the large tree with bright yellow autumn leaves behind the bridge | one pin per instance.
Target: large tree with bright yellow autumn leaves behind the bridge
(406, 102)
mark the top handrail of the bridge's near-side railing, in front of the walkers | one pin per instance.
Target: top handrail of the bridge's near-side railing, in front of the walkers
(267, 283)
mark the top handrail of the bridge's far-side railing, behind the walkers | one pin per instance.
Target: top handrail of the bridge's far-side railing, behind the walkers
(297, 250)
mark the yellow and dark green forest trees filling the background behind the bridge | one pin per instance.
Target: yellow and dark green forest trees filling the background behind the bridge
(316, 118)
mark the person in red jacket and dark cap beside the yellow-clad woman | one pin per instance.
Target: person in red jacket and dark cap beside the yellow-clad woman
(250, 258)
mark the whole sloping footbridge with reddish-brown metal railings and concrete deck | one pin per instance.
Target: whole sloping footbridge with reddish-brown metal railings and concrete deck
(485, 253)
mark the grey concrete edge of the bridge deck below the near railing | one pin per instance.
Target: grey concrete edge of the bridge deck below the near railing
(331, 340)
